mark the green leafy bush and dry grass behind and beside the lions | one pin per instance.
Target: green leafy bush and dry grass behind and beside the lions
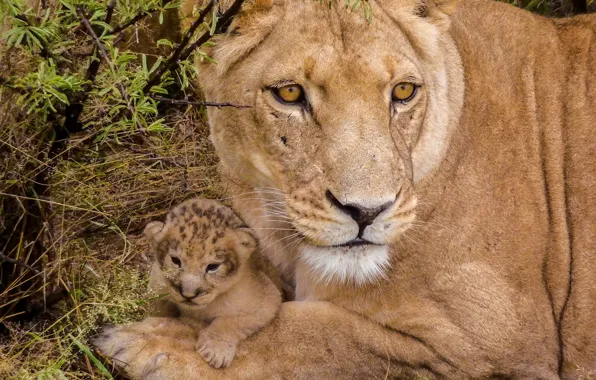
(89, 153)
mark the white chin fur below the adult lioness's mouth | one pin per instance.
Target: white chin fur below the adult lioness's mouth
(359, 265)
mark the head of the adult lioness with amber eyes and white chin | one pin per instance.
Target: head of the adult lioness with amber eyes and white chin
(341, 115)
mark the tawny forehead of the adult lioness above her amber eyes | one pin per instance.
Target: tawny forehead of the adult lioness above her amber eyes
(331, 48)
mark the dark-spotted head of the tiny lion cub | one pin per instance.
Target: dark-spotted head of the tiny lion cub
(202, 250)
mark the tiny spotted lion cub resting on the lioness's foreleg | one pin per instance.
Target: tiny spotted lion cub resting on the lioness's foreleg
(208, 263)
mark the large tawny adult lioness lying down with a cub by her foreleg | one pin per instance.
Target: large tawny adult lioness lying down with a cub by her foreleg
(432, 178)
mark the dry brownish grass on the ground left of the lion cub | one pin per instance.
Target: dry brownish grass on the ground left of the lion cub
(102, 197)
